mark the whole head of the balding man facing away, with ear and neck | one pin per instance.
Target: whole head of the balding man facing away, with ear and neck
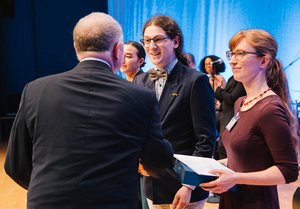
(98, 35)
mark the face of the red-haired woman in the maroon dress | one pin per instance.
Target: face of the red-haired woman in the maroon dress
(249, 67)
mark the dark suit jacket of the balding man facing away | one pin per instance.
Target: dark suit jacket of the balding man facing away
(78, 137)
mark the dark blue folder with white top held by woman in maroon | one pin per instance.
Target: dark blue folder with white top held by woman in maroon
(194, 170)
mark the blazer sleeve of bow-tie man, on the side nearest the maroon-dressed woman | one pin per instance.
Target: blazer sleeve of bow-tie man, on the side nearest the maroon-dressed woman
(202, 105)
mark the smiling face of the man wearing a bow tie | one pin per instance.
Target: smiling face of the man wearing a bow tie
(163, 53)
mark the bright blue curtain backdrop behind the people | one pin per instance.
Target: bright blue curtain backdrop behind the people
(208, 25)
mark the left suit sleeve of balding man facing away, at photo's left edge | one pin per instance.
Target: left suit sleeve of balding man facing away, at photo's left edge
(18, 162)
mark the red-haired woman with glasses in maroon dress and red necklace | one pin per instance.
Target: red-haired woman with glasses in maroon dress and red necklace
(260, 140)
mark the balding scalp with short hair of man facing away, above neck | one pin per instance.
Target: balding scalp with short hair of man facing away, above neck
(96, 32)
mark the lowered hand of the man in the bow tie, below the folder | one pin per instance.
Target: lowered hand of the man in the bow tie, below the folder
(182, 198)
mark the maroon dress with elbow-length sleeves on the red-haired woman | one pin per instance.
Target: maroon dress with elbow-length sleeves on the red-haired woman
(260, 139)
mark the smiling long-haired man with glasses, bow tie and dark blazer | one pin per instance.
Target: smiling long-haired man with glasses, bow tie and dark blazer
(186, 102)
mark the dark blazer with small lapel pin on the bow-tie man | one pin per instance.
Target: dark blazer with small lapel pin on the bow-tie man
(188, 121)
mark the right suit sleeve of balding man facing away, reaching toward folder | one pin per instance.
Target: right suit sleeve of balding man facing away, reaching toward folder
(157, 152)
